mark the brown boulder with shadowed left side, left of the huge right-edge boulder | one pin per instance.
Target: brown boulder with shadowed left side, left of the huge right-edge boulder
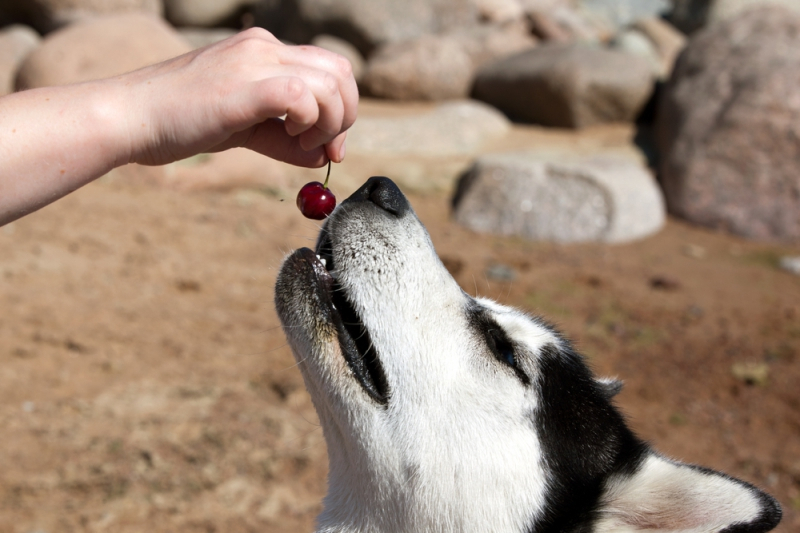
(570, 86)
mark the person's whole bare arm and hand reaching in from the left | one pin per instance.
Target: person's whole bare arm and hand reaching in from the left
(54, 140)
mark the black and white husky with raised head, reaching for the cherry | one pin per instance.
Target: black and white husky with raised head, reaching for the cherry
(447, 413)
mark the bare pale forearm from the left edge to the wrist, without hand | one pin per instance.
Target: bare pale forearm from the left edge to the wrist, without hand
(54, 140)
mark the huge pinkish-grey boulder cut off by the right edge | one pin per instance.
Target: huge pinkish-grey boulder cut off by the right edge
(729, 127)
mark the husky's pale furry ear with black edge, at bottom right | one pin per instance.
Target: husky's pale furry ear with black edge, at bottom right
(666, 496)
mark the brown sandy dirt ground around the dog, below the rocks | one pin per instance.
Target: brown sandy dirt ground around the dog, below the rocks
(145, 384)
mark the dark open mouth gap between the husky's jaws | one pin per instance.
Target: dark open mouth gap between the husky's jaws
(354, 338)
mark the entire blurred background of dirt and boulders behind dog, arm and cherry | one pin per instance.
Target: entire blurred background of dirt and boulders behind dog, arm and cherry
(629, 169)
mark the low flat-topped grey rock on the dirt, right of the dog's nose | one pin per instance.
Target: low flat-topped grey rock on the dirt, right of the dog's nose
(598, 198)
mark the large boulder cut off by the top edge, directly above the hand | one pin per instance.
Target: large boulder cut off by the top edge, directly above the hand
(366, 24)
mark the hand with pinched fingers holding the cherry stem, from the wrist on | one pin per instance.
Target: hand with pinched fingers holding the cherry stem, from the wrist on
(234, 93)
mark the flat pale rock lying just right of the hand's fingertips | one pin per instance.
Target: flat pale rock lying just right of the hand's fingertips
(454, 128)
